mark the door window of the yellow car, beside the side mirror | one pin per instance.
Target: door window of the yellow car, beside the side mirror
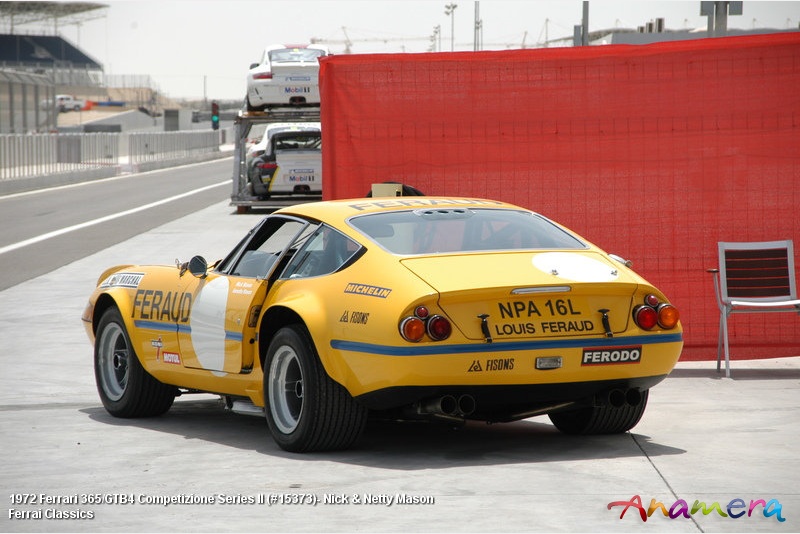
(258, 257)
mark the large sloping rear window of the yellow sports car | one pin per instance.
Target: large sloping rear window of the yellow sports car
(451, 230)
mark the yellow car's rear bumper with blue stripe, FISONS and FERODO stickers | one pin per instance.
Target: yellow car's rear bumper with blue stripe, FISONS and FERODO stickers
(367, 369)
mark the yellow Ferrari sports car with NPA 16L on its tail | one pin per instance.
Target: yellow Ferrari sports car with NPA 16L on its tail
(328, 313)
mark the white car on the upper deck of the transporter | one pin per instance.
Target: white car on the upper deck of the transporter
(285, 75)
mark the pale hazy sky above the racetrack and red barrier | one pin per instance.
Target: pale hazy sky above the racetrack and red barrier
(196, 48)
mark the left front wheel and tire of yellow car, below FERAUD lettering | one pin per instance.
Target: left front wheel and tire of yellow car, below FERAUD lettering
(125, 388)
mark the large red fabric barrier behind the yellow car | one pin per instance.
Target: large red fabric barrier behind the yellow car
(653, 152)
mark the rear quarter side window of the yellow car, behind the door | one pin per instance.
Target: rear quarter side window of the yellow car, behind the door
(323, 253)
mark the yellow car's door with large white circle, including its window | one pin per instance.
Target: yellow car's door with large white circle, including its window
(226, 303)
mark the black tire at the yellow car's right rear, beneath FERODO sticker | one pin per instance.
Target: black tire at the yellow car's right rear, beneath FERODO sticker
(605, 419)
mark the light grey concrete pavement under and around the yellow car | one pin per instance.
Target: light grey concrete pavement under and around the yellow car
(68, 466)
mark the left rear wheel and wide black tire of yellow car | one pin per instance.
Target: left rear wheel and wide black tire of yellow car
(306, 410)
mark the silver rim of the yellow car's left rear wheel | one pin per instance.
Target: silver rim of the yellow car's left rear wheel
(286, 389)
